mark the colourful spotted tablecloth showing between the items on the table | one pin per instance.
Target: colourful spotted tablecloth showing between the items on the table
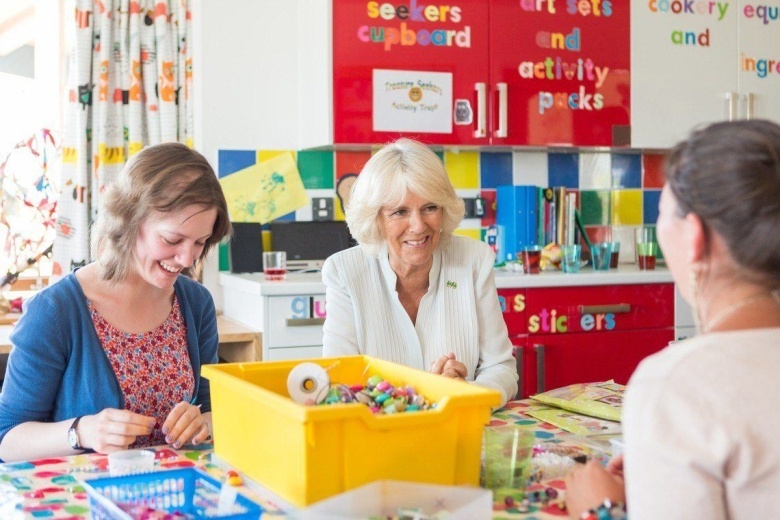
(49, 488)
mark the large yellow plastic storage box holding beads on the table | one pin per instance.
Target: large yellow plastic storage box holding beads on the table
(308, 453)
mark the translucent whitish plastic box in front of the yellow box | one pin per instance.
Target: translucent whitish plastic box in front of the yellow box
(392, 499)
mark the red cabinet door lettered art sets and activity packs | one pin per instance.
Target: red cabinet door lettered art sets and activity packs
(566, 70)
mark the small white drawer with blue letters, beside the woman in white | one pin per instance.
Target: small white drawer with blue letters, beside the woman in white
(294, 321)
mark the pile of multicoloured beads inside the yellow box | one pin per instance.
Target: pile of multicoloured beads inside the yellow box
(380, 396)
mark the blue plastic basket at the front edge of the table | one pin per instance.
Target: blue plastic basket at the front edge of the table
(188, 491)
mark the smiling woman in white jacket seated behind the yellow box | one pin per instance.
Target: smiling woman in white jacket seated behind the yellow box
(437, 307)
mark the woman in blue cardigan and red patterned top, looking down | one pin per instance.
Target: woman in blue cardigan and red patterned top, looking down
(109, 357)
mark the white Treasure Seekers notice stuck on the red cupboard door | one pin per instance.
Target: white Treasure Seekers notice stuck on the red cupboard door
(412, 101)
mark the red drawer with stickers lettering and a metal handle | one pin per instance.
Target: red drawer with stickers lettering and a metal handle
(599, 308)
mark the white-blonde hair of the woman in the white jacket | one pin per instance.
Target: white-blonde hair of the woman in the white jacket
(399, 168)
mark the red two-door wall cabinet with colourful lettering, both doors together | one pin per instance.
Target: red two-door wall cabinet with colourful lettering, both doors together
(522, 73)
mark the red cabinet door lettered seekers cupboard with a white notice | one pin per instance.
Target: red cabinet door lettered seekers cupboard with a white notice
(409, 36)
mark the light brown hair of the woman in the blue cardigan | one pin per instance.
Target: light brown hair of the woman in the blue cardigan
(166, 178)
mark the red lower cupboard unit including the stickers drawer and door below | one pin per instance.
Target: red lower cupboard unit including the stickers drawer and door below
(584, 334)
